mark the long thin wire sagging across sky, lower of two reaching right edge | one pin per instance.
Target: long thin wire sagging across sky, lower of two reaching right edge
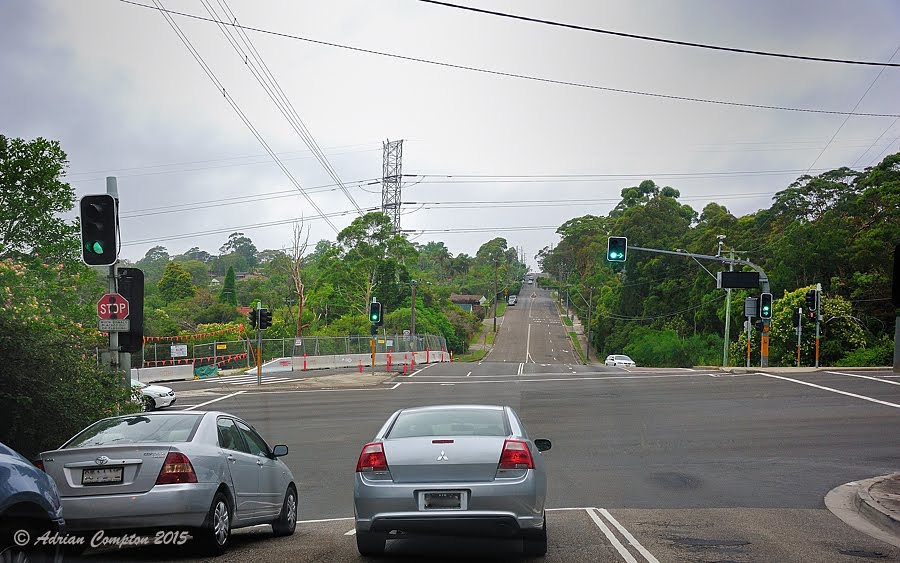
(517, 75)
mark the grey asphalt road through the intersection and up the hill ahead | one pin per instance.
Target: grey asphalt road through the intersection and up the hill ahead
(647, 464)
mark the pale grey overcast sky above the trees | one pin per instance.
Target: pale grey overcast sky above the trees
(117, 87)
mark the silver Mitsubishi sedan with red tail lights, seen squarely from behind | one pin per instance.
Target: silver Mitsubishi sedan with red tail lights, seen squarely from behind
(465, 470)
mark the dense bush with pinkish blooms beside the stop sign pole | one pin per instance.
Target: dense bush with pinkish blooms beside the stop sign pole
(52, 386)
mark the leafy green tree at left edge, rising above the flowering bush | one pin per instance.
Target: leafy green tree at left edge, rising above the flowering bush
(31, 194)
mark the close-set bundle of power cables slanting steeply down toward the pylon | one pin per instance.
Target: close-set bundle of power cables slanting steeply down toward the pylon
(269, 83)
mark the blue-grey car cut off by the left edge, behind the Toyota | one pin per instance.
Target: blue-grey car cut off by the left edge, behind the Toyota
(29, 501)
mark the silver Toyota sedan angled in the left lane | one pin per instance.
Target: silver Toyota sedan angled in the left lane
(204, 473)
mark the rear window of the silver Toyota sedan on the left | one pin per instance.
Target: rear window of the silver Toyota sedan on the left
(139, 428)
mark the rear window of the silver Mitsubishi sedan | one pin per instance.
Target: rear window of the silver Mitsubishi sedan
(450, 422)
